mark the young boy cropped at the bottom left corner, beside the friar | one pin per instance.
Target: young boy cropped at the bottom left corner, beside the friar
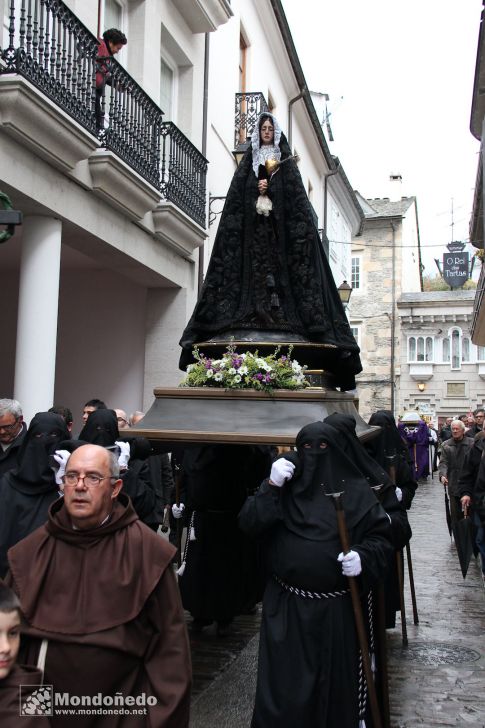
(14, 677)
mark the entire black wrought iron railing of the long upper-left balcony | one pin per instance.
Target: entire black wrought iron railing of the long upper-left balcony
(50, 47)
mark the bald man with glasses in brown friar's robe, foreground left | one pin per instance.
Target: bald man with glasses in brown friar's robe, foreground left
(98, 593)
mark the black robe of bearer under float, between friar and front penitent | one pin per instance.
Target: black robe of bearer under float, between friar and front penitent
(221, 577)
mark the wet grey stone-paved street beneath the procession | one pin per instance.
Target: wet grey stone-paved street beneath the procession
(436, 681)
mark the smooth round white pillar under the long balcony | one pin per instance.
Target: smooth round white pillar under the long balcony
(35, 361)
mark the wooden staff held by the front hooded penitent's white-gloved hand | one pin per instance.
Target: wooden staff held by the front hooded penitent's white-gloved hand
(358, 615)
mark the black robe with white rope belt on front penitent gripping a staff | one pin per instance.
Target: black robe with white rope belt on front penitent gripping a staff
(308, 670)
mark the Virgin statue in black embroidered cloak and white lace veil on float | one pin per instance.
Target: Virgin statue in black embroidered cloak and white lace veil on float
(269, 276)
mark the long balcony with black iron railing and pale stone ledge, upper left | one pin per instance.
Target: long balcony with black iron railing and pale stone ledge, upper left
(48, 103)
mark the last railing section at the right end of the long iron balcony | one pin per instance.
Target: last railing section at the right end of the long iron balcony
(183, 173)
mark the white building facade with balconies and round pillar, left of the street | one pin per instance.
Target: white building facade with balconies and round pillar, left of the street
(100, 280)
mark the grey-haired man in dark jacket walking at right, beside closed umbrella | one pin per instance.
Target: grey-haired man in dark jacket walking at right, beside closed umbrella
(453, 454)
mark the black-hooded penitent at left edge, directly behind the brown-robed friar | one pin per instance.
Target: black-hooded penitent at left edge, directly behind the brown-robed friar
(27, 492)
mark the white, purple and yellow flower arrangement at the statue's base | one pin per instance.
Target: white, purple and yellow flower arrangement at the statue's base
(246, 371)
